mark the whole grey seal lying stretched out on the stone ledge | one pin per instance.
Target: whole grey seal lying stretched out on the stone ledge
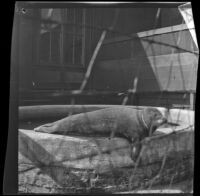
(123, 121)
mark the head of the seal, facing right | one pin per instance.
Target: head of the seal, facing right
(153, 118)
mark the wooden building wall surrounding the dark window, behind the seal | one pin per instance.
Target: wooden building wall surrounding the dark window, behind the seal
(121, 58)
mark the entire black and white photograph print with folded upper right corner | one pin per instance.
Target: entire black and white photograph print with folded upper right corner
(106, 96)
